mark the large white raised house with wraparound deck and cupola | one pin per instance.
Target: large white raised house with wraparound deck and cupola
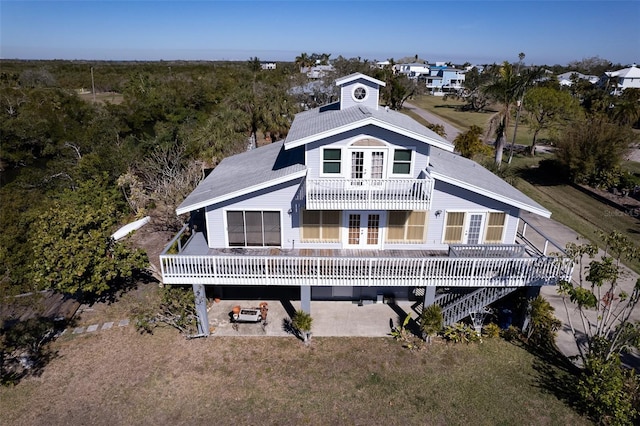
(359, 202)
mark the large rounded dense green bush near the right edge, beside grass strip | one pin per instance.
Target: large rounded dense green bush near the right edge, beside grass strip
(592, 148)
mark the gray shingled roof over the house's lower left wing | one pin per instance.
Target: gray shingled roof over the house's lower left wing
(243, 171)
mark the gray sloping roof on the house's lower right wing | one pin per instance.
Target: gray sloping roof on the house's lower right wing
(472, 176)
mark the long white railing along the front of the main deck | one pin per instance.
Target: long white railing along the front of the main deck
(363, 271)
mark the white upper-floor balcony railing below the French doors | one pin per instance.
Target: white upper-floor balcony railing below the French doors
(362, 194)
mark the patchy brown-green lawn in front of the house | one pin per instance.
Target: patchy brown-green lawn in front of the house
(120, 377)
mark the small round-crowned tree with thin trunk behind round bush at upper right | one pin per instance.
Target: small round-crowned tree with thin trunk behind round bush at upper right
(547, 107)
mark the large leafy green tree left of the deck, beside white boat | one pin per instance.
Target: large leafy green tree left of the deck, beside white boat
(73, 250)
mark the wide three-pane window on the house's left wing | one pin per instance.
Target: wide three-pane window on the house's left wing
(253, 228)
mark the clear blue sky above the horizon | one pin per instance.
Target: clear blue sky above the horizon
(548, 32)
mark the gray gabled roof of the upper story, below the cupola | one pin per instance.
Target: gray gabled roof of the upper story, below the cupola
(324, 119)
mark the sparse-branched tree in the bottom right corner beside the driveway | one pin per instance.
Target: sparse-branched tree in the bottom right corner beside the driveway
(606, 390)
